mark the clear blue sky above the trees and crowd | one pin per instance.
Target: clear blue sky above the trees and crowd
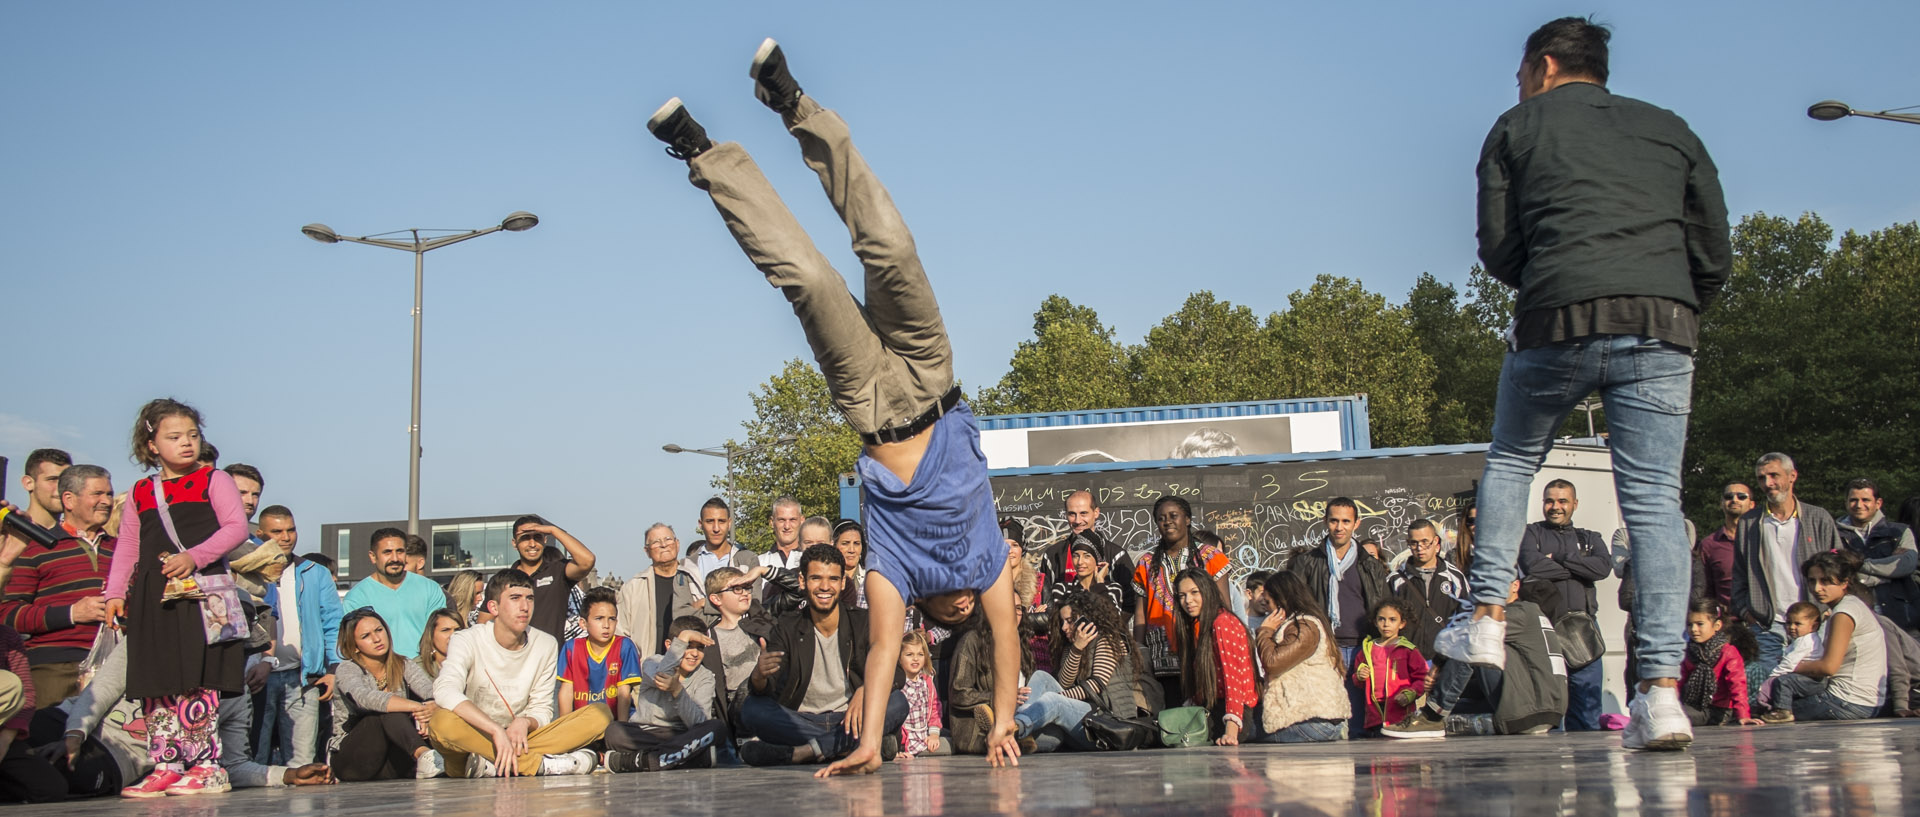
(160, 158)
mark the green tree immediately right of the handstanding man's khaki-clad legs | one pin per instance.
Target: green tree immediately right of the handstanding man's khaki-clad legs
(1072, 363)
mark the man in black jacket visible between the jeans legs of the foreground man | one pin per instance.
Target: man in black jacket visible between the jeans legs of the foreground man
(1573, 561)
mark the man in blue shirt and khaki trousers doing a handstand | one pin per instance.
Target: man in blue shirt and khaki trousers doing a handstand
(888, 363)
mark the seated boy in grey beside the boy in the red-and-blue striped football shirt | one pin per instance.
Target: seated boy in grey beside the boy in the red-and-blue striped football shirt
(673, 722)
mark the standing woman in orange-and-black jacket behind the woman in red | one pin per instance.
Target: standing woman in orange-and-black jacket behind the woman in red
(1153, 580)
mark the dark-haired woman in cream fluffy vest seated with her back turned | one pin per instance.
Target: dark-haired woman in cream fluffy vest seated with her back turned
(1307, 697)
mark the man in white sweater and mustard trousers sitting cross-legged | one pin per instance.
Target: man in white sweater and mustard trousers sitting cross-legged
(496, 695)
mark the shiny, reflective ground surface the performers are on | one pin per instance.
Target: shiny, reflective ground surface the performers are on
(1806, 772)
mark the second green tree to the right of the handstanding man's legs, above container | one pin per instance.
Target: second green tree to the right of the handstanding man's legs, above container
(1209, 352)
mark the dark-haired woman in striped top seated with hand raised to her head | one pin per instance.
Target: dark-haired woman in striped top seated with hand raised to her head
(1095, 657)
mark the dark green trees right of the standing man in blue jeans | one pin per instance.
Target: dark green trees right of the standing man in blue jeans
(1812, 350)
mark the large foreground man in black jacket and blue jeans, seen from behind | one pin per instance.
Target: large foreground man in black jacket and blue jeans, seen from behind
(1606, 214)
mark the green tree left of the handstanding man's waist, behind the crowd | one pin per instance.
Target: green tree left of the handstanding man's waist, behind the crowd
(794, 404)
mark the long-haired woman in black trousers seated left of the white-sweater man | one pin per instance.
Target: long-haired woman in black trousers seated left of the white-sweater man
(383, 707)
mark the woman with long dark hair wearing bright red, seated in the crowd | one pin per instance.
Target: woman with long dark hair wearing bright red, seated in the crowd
(1216, 663)
